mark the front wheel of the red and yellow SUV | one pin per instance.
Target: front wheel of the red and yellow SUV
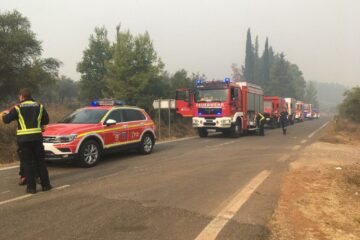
(89, 154)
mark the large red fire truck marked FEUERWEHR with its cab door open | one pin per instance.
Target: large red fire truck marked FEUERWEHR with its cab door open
(221, 106)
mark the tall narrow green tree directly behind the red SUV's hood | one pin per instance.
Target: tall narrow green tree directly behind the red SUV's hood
(93, 65)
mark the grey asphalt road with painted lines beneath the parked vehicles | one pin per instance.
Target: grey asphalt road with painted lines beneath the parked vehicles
(212, 188)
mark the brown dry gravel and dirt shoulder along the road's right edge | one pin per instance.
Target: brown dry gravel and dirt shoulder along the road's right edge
(320, 195)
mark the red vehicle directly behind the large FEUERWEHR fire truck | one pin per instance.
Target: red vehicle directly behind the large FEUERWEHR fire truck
(273, 105)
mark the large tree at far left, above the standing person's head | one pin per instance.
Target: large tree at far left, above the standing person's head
(20, 62)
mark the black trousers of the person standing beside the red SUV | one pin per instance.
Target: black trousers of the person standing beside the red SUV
(32, 154)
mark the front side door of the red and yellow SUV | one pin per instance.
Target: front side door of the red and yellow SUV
(117, 134)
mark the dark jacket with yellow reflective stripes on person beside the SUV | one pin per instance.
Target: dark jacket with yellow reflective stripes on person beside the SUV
(30, 117)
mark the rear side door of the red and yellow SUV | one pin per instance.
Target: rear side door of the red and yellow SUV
(135, 120)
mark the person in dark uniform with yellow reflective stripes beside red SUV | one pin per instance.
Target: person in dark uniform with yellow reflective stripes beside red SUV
(31, 116)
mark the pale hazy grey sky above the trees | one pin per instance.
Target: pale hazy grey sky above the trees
(207, 36)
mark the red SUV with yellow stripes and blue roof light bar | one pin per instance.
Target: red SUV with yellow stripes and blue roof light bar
(106, 125)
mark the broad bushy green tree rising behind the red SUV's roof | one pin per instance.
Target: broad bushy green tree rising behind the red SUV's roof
(133, 69)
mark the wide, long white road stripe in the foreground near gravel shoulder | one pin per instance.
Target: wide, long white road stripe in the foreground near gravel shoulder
(226, 214)
